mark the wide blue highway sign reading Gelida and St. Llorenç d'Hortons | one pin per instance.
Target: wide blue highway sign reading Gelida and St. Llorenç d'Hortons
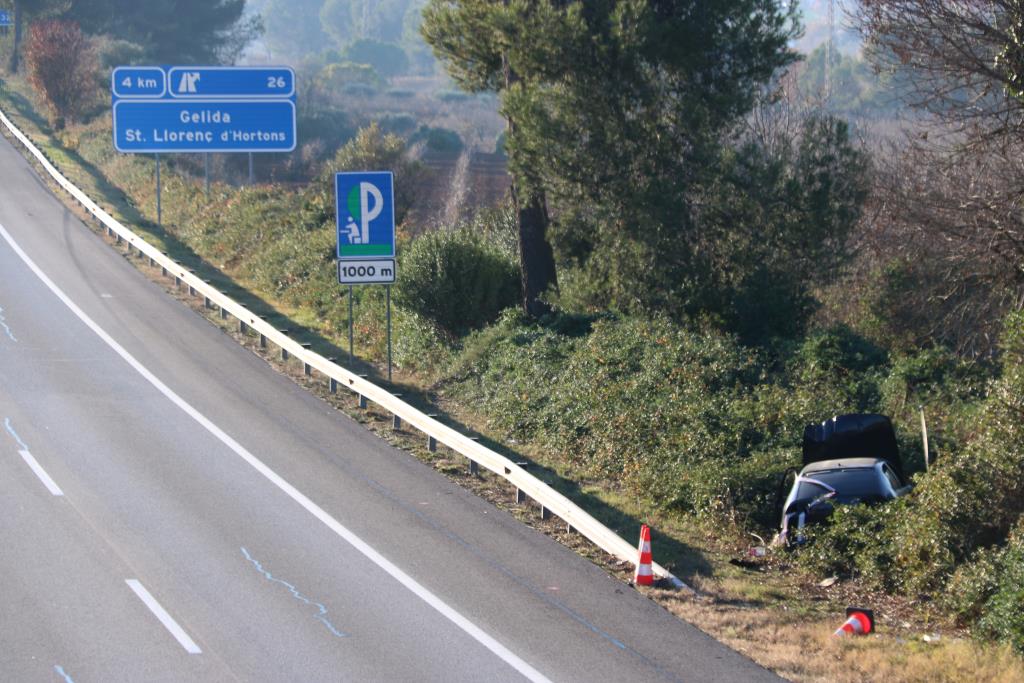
(203, 109)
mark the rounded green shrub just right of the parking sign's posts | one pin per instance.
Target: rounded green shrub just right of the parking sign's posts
(457, 280)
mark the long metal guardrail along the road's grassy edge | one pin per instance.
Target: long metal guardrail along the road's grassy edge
(527, 485)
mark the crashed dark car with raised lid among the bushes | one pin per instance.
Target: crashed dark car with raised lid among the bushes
(848, 460)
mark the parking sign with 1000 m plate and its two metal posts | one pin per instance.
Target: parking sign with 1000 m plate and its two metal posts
(365, 204)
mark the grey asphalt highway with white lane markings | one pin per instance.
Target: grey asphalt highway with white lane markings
(174, 509)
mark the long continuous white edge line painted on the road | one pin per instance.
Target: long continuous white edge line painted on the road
(359, 544)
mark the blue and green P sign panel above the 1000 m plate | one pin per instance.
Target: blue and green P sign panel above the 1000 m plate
(366, 216)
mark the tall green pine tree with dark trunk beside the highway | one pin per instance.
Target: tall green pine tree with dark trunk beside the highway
(616, 108)
